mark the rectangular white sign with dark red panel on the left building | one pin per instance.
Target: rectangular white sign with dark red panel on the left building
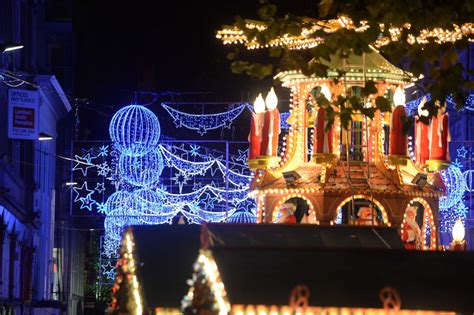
(23, 114)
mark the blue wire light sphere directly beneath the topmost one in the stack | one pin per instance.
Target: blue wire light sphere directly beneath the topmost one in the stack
(143, 170)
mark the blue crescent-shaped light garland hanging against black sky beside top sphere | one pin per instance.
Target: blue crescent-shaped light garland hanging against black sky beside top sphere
(205, 122)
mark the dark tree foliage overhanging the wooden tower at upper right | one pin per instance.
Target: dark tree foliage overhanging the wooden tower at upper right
(436, 62)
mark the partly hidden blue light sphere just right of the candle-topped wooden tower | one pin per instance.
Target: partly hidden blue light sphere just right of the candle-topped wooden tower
(455, 184)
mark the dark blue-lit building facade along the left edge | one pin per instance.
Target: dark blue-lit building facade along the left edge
(32, 275)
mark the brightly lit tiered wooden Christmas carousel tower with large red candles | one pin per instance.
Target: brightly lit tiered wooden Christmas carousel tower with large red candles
(359, 175)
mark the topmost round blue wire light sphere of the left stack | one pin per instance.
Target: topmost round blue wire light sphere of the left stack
(135, 130)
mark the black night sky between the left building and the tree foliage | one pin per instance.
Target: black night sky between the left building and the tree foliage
(128, 47)
